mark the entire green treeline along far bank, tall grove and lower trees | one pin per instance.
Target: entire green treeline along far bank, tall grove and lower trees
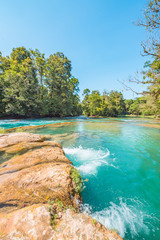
(34, 86)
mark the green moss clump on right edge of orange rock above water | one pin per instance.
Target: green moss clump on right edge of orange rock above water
(77, 179)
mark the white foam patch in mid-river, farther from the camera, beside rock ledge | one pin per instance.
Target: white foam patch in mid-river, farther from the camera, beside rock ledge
(89, 158)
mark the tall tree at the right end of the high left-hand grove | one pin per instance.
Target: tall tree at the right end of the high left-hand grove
(58, 72)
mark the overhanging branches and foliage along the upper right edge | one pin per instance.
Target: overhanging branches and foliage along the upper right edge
(151, 73)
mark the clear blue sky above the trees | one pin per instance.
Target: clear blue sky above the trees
(98, 36)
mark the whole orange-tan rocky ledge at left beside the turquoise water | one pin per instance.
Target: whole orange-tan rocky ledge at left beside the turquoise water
(40, 193)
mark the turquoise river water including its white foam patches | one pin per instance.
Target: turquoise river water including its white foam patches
(121, 160)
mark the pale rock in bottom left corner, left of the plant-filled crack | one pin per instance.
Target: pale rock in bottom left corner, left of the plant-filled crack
(25, 224)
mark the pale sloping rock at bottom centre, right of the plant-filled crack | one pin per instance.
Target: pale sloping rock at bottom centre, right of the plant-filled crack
(81, 226)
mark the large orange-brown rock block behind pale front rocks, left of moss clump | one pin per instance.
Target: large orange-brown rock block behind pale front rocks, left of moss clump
(36, 184)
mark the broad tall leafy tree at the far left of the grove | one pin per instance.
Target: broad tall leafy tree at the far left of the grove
(19, 84)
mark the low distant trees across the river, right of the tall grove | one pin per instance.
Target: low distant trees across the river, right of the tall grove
(112, 104)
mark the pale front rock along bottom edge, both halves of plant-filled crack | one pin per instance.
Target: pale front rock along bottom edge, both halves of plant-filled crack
(34, 222)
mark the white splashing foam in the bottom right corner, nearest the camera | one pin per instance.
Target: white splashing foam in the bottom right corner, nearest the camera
(124, 217)
